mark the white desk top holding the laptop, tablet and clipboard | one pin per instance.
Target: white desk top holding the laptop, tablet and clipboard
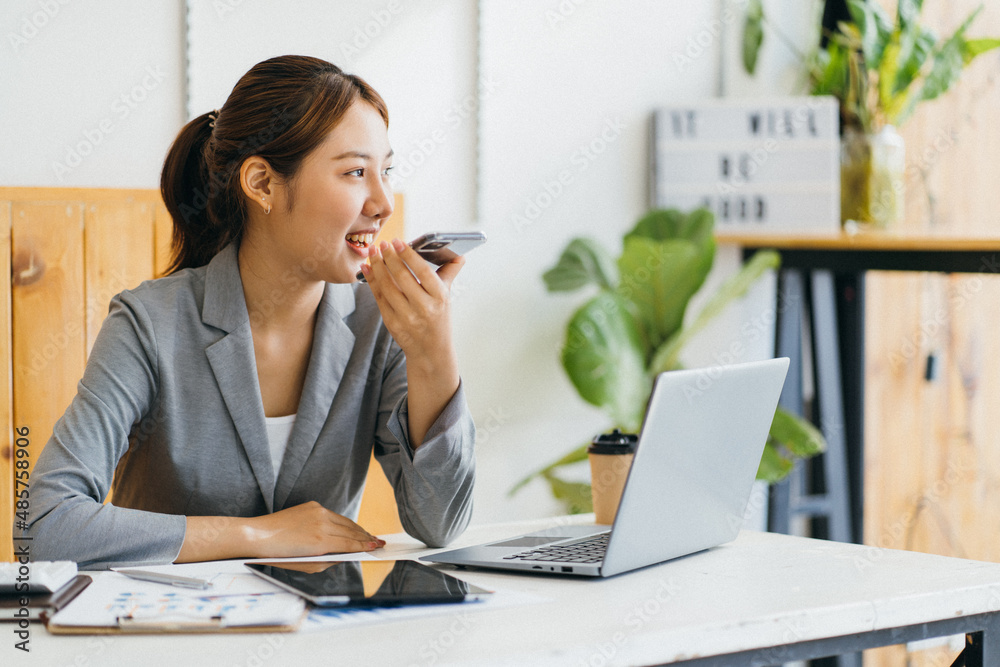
(772, 597)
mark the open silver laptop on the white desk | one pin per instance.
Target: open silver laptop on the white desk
(697, 456)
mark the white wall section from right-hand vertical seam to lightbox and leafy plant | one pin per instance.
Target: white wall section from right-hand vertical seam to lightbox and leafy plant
(564, 154)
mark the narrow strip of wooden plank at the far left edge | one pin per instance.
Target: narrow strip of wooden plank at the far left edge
(7, 459)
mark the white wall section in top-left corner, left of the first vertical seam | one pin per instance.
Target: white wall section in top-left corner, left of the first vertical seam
(89, 95)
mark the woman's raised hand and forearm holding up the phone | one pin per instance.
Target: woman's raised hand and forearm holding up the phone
(416, 310)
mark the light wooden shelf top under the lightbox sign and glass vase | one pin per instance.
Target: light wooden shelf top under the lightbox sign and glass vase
(879, 241)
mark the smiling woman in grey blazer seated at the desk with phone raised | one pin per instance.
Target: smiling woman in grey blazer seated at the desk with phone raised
(235, 403)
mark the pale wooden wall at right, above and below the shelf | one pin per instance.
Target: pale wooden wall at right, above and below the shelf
(932, 460)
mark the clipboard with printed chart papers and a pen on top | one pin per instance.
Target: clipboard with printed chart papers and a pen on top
(116, 605)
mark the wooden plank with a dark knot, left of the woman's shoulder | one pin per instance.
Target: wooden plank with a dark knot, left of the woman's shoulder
(47, 303)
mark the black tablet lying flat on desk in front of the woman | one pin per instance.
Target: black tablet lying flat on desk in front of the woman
(368, 583)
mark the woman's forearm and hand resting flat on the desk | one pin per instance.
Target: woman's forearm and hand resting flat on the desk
(308, 529)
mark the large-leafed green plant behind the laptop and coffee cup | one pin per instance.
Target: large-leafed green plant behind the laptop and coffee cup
(635, 326)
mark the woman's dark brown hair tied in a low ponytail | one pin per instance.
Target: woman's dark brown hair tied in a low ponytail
(280, 110)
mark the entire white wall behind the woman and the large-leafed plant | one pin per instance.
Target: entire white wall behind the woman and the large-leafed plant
(569, 85)
